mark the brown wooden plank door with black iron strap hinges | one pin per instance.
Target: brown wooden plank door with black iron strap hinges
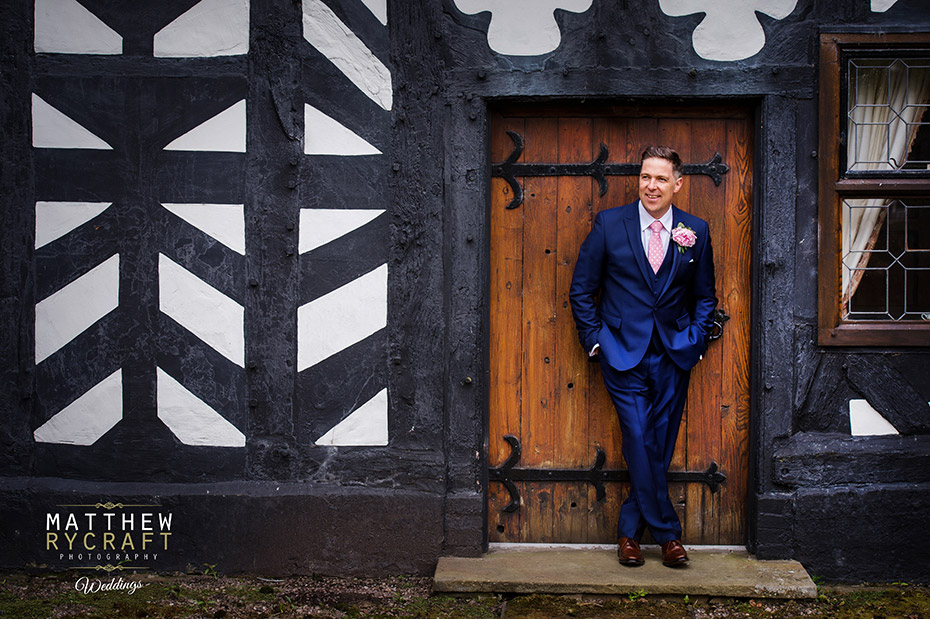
(543, 390)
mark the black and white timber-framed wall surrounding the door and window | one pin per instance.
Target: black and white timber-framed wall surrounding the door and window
(338, 424)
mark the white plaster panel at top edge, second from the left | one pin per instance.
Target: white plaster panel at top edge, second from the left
(209, 28)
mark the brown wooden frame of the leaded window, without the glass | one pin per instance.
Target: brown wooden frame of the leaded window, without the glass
(836, 185)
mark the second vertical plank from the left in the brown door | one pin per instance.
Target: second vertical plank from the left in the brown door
(539, 375)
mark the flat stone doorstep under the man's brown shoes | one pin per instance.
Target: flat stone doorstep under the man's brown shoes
(538, 568)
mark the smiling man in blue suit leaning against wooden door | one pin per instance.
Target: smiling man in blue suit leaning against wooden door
(643, 297)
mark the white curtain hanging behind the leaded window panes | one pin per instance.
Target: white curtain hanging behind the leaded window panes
(889, 103)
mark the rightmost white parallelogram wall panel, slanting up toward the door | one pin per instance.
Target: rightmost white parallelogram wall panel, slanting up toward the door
(341, 318)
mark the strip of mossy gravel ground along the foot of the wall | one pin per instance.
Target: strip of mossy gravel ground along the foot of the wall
(24, 596)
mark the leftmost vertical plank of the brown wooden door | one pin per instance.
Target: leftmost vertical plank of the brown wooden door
(505, 332)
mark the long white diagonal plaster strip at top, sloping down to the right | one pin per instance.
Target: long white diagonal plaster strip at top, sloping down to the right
(333, 39)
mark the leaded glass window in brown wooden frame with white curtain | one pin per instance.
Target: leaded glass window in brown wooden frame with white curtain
(874, 267)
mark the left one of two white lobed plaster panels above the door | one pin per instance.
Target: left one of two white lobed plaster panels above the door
(523, 27)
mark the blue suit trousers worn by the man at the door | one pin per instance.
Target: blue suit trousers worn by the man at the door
(649, 399)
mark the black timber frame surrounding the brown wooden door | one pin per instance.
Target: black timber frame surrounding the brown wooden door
(466, 231)
